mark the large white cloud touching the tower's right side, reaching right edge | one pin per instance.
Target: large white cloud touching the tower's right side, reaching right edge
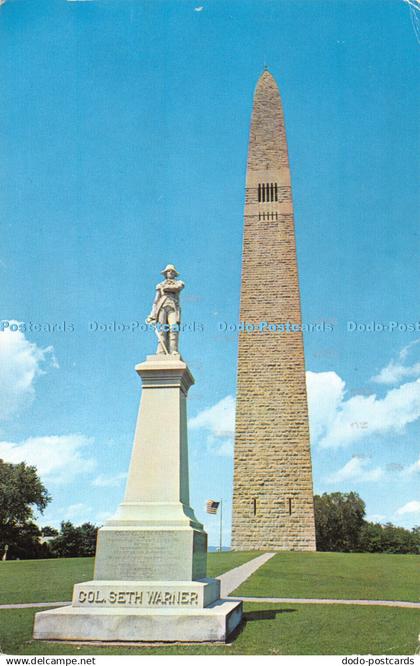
(338, 422)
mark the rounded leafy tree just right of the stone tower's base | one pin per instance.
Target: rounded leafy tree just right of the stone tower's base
(339, 521)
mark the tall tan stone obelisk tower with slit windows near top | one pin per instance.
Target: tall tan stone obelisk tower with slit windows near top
(273, 497)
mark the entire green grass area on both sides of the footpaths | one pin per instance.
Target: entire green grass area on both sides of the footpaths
(268, 629)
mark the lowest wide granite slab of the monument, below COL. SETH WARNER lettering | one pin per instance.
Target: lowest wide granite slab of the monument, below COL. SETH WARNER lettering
(214, 623)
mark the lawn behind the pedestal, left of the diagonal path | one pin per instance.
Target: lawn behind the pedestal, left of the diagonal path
(29, 581)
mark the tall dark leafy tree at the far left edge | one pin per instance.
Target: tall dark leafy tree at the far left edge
(21, 492)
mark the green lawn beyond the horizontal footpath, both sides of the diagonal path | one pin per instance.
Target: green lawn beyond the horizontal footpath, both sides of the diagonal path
(325, 575)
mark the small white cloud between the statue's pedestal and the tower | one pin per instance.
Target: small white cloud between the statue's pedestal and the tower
(219, 422)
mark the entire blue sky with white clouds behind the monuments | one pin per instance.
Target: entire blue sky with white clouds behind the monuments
(123, 147)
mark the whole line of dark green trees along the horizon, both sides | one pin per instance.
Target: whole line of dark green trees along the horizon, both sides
(339, 522)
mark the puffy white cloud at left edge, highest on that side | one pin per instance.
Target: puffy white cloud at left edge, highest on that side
(21, 362)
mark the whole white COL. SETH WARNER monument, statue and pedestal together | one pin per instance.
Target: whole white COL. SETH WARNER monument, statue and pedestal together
(150, 579)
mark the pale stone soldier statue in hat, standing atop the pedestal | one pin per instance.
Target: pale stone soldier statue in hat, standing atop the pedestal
(166, 311)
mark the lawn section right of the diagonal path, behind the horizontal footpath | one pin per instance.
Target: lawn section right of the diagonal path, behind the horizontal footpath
(337, 575)
